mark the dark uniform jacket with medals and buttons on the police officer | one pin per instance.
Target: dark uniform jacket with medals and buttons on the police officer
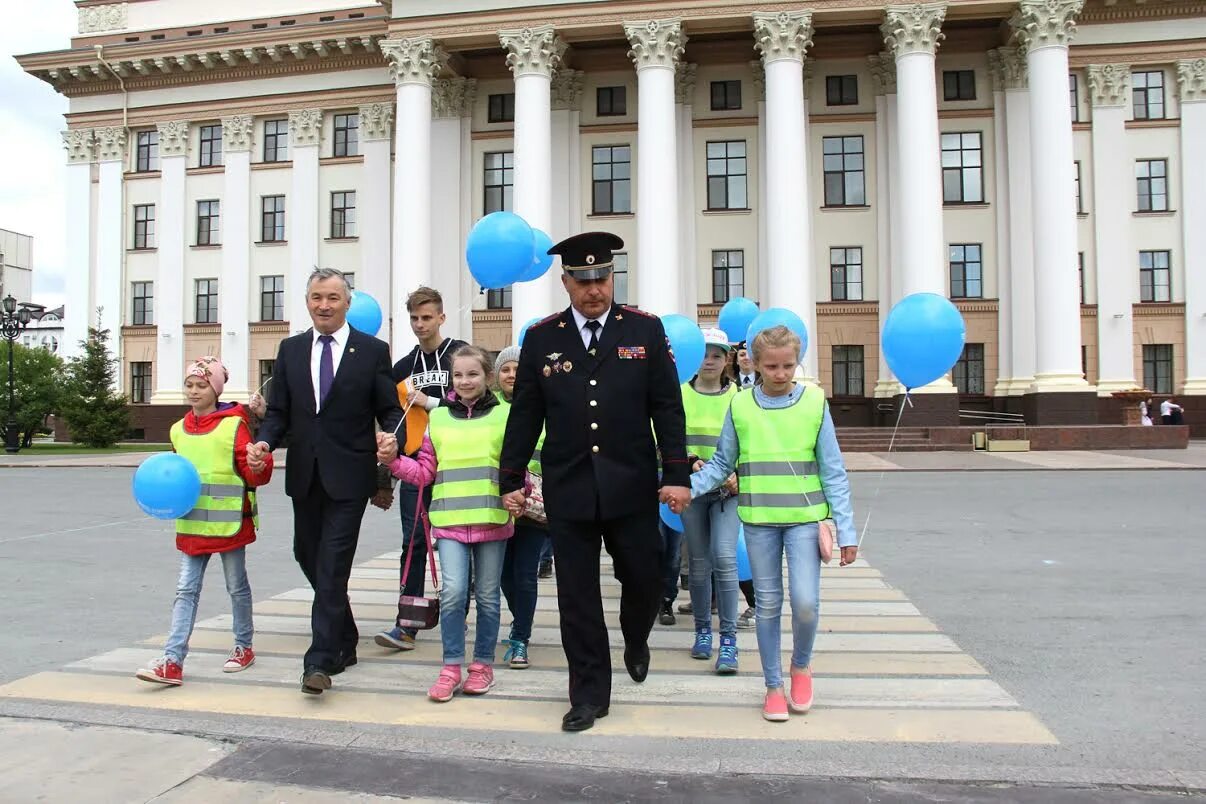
(600, 459)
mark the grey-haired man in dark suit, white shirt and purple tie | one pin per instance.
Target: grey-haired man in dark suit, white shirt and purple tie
(330, 385)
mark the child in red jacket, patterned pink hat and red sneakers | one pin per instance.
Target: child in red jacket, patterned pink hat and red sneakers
(214, 437)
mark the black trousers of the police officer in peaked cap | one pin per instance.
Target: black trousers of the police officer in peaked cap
(635, 545)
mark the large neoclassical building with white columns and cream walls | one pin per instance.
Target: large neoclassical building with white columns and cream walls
(1040, 162)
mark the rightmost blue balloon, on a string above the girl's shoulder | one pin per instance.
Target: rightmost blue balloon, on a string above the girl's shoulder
(923, 338)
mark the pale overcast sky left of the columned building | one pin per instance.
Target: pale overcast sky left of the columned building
(32, 157)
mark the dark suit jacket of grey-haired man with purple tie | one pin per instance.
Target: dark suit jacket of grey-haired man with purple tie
(339, 442)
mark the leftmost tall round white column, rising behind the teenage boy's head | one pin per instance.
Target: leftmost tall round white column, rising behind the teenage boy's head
(414, 64)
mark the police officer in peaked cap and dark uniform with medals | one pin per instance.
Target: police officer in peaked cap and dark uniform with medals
(595, 377)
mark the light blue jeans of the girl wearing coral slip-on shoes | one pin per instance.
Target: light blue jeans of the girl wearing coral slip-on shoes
(766, 545)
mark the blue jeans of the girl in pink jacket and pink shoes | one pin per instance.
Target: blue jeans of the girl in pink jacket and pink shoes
(488, 564)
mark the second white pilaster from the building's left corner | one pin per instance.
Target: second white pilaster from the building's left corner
(112, 239)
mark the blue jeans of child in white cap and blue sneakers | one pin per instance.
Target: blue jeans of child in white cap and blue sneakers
(711, 530)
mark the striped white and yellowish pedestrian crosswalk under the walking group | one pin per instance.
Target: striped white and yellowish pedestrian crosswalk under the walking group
(883, 673)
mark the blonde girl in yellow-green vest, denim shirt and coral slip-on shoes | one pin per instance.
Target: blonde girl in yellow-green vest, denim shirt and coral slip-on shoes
(781, 441)
